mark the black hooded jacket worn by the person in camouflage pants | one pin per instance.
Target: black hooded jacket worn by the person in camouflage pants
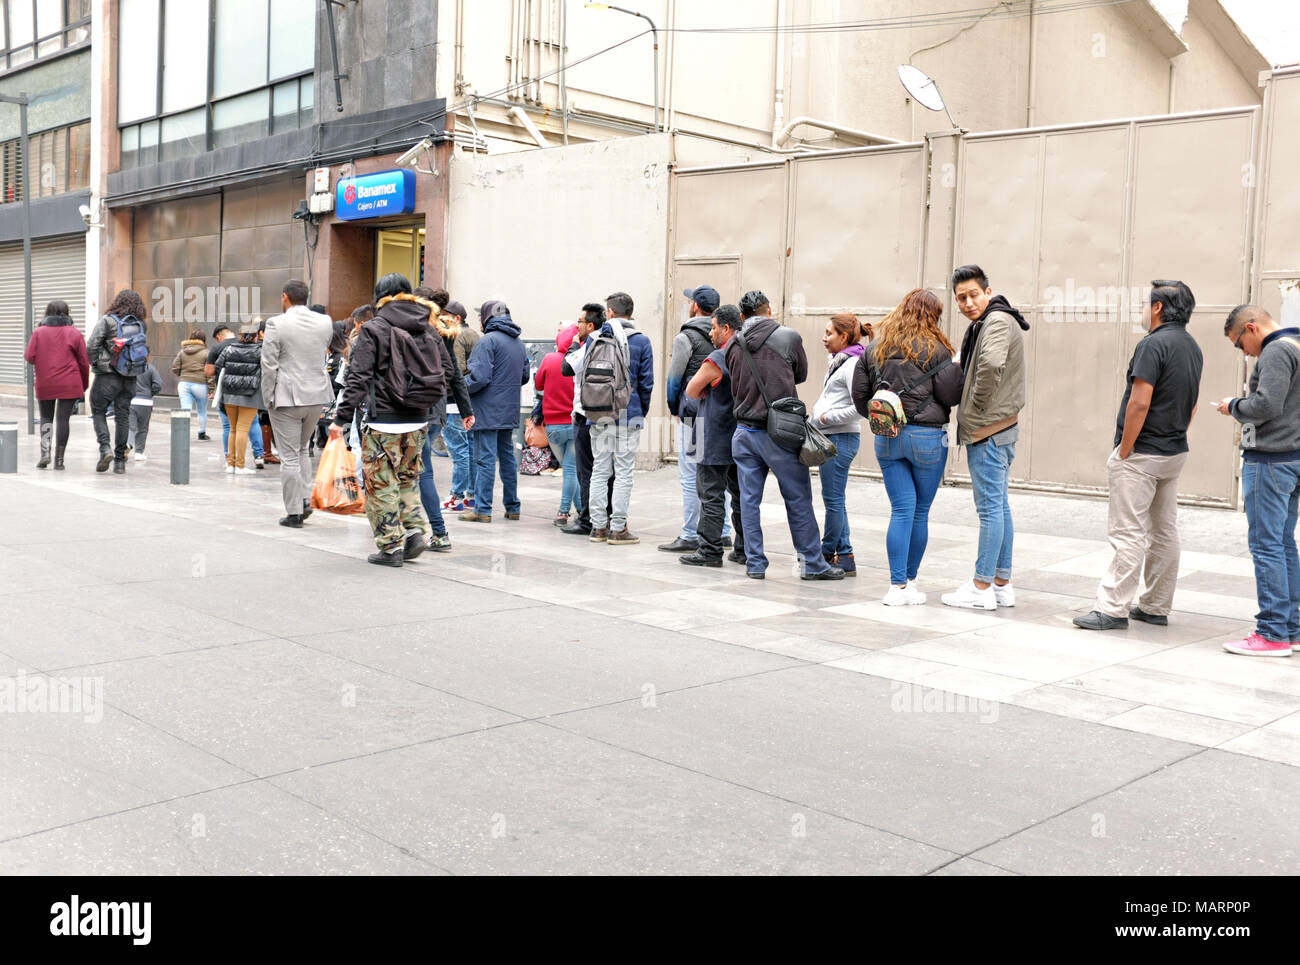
(369, 365)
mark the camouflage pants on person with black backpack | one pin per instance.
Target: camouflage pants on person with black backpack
(392, 469)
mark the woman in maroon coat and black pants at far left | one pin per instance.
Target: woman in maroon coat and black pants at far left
(58, 354)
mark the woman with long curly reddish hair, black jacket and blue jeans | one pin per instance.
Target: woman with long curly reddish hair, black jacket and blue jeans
(915, 360)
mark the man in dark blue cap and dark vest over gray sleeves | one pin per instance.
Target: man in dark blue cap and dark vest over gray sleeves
(691, 347)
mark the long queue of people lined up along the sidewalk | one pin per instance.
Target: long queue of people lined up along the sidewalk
(397, 375)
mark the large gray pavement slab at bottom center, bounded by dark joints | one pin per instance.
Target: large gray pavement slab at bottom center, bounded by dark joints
(534, 800)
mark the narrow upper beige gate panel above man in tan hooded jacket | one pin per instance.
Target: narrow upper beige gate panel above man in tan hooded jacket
(996, 215)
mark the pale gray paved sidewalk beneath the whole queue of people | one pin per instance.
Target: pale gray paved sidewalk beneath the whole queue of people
(532, 703)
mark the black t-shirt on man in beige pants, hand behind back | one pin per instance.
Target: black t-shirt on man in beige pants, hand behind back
(1171, 361)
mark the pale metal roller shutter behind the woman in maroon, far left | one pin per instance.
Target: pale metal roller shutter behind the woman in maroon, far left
(58, 271)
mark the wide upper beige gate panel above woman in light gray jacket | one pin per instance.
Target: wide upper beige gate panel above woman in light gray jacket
(857, 230)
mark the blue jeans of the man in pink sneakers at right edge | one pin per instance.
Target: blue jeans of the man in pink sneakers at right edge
(1272, 494)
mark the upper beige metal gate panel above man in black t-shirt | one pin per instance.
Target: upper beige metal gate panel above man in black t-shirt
(1190, 206)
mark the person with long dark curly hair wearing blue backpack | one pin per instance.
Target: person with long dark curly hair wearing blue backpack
(112, 356)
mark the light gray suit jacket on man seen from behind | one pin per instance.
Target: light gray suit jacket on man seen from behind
(293, 360)
